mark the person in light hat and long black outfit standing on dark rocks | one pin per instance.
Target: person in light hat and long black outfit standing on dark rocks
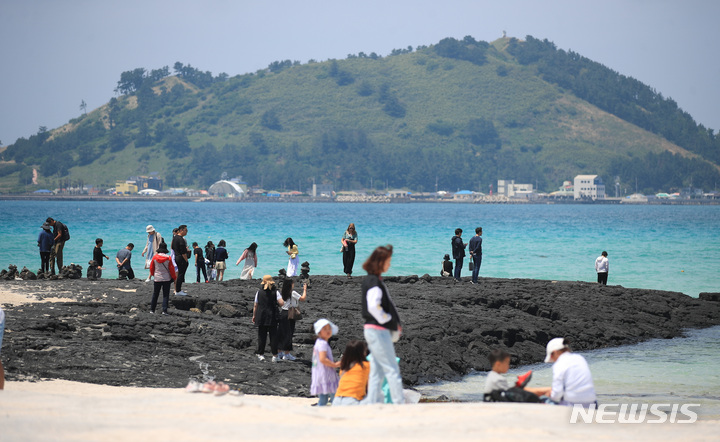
(265, 316)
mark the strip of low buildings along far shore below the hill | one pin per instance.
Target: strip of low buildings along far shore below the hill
(582, 189)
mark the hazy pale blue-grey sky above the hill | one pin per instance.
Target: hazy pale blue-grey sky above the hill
(54, 54)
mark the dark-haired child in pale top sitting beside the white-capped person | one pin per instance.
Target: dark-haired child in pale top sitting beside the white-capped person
(497, 388)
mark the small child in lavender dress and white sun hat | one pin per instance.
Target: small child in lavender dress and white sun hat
(324, 378)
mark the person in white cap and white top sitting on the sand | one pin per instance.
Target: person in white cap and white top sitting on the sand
(572, 381)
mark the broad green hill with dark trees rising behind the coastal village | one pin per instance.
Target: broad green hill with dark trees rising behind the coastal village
(460, 113)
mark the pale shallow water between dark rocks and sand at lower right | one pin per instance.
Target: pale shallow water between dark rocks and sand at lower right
(659, 371)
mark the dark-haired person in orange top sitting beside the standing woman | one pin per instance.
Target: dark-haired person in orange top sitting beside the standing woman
(354, 374)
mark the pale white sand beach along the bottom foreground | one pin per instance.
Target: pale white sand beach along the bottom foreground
(64, 410)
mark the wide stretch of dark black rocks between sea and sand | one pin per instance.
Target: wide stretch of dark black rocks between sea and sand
(108, 336)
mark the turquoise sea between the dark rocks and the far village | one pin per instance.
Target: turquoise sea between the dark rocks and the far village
(660, 247)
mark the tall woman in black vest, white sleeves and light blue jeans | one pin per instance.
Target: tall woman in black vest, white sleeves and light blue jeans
(382, 328)
